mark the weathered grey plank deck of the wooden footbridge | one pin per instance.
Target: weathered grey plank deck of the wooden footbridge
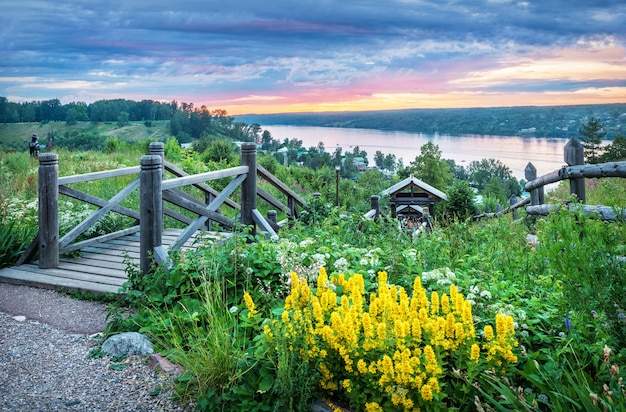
(99, 268)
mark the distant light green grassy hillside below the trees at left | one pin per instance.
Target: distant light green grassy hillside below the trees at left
(17, 135)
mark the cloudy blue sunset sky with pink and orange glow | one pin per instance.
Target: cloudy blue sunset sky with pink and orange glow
(326, 55)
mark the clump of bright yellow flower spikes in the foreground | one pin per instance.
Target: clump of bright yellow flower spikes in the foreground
(390, 351)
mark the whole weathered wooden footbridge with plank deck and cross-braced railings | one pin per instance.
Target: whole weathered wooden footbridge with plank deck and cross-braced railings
(102, 262)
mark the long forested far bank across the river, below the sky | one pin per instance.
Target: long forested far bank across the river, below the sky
(529, 121)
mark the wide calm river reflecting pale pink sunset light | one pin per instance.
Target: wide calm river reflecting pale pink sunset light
(515, 152)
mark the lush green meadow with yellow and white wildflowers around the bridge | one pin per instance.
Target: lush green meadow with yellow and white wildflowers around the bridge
(366, 316)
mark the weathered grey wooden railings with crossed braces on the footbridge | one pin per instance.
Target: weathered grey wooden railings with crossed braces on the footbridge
(154, 191)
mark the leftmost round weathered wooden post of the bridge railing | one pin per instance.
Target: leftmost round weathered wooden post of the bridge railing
(48, 210)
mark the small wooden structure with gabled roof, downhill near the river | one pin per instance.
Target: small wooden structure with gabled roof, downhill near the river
(413, 199)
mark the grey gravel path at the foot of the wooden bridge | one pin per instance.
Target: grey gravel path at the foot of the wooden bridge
(45, 364)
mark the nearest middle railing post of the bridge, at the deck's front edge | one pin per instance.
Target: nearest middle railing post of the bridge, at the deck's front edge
(151, 210)
